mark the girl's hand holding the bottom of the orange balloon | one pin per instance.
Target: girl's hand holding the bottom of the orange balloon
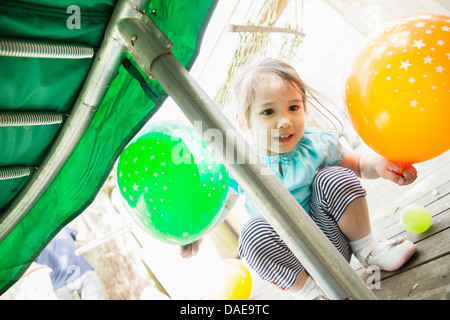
(394, 172)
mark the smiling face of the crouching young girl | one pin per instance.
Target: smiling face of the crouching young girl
(277, 116)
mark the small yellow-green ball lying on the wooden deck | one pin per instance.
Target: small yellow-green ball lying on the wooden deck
(415, 218)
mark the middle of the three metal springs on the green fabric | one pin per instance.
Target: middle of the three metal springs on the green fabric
(19, 119)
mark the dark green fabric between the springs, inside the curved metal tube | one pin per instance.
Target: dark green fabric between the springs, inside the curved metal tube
(29, 84)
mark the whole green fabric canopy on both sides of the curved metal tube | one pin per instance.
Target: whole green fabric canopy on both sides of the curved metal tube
(32, 84)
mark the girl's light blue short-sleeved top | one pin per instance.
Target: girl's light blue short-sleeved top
(317, 149)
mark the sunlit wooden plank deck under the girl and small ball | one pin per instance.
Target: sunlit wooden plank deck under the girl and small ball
(427, 275)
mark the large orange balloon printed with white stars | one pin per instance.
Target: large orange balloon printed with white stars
(397, 94)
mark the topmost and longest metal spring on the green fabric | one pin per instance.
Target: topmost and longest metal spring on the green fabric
(44, 49)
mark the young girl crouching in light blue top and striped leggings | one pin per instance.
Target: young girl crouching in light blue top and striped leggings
(320, 174)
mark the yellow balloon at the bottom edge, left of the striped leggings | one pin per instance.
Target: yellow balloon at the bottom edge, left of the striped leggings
(231, 282)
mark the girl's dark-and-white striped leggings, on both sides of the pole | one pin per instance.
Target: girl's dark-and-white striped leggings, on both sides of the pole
(333, 189)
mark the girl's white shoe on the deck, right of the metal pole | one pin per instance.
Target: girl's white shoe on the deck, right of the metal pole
(395, 254)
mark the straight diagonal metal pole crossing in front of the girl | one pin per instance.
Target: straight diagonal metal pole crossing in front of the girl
(278, 206)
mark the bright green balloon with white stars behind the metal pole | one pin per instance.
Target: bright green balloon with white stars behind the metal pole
(173, 183)
